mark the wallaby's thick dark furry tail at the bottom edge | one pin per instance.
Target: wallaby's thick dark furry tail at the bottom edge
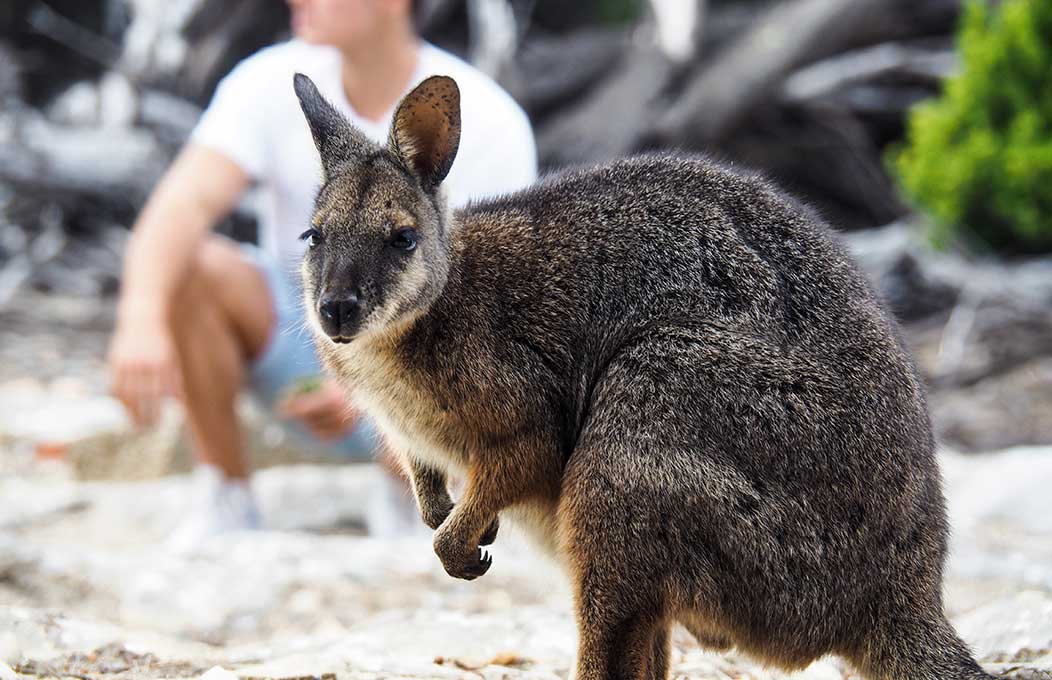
(918, 651)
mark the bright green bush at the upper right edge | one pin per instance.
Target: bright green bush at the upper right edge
(980, 158)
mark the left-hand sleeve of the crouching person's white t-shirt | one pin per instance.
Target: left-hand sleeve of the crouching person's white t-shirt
(234, 124)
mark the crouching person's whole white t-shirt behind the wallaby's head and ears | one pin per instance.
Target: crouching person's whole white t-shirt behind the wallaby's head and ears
(255, 121)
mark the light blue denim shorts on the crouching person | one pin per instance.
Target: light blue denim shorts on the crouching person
(290, 357)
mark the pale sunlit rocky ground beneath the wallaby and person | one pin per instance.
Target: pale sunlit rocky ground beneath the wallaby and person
(89, 591)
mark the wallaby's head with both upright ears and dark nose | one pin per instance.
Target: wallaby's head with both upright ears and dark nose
(378, 245)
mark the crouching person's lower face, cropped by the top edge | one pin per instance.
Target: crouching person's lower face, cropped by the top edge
(349, 23)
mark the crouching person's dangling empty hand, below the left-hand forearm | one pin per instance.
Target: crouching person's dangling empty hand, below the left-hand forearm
(144, 368)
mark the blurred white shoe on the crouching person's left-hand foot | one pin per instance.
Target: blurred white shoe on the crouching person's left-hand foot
(217, 506)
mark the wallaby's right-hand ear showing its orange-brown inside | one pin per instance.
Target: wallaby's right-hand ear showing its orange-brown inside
(426, 133)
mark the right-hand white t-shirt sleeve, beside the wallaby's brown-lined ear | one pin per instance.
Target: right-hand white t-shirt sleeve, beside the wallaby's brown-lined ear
(501, 159)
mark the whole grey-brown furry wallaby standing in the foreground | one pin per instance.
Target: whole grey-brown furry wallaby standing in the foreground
(669, 372)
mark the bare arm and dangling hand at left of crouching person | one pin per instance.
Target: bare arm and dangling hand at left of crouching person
(199, 190)
